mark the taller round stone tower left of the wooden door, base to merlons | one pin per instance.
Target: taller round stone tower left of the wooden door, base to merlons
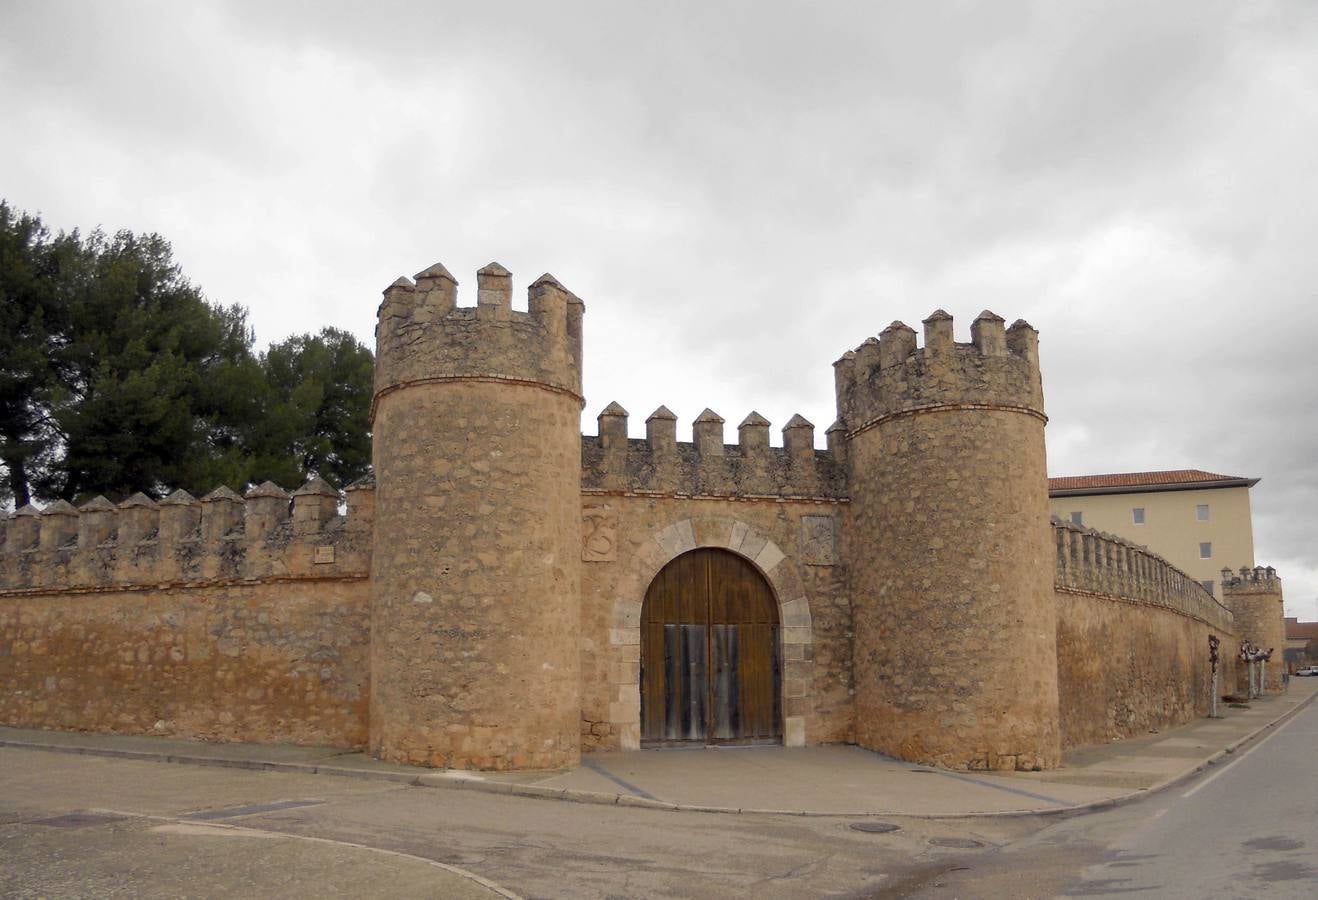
(476, 567)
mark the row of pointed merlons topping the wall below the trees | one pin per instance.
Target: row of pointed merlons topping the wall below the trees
(183, 540)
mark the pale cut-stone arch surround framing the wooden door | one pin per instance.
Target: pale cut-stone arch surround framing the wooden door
(784, 578)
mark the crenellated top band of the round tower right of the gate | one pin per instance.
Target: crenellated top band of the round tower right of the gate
(890, 375)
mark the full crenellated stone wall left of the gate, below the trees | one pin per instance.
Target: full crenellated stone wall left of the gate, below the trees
(230, 619)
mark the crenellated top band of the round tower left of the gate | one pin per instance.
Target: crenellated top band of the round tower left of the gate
(424, 337)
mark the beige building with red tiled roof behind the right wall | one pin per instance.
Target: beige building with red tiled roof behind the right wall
(1197, 521)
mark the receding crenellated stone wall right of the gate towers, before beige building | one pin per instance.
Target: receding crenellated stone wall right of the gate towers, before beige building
(1133, 640)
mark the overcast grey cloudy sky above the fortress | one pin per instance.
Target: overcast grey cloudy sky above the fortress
(743, 192)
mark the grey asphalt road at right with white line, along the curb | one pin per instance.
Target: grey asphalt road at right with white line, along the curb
(1245, 830)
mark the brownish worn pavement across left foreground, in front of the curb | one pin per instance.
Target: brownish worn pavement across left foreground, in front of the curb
(165, 831)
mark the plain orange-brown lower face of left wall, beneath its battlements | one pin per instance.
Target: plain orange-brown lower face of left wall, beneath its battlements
(271, 662)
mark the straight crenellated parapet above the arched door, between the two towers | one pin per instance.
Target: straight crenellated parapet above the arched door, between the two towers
(707, 467)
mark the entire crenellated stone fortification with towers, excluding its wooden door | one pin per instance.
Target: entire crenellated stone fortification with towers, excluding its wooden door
(478, 603)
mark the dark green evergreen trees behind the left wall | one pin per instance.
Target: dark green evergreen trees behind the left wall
(118, 376)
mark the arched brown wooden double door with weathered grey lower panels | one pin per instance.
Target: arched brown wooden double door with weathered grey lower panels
(710, 653)
